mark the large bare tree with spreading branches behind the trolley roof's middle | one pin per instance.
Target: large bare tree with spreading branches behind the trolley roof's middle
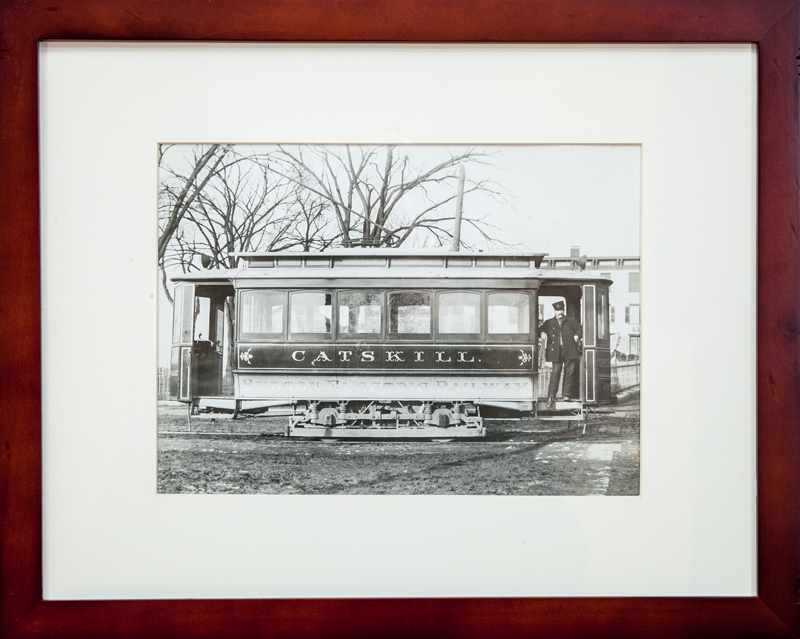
(379, 196)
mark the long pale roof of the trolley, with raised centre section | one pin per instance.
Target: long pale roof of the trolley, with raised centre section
(369, 265)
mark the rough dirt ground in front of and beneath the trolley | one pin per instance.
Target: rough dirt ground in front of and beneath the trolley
(517, 457)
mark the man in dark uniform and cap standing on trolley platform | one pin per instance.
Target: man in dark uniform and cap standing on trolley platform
(563, 350)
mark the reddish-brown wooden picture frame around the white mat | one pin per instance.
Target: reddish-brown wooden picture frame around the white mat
(773, 24)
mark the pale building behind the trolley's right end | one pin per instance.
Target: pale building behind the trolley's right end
(624, 301)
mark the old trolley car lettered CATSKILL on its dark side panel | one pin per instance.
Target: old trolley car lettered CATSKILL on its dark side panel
(381, 343)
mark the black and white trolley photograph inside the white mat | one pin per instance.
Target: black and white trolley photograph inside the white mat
(399, 319)
